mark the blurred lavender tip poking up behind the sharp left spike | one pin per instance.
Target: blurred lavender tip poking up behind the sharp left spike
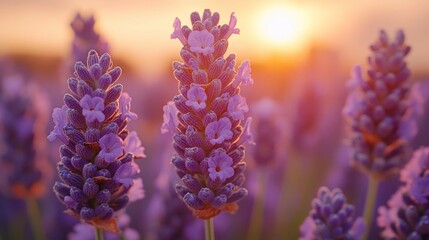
(86, 38)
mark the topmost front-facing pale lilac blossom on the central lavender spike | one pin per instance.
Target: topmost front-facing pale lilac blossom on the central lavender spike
(201, 42)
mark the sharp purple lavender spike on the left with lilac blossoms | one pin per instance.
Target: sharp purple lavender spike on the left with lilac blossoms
(98, 172)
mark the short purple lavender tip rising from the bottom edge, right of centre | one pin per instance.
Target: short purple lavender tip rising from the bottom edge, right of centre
(331, 218)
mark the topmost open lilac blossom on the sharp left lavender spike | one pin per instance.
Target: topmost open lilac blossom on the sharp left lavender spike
(92, 108)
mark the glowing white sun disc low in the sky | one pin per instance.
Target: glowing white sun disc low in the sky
(281, 26)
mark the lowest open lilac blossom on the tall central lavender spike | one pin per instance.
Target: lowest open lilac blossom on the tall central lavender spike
(220, 166)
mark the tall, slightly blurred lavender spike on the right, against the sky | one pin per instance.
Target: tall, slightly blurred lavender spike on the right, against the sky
(379, 108)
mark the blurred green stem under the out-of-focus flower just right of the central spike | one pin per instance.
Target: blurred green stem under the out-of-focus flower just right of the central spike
(258, 210)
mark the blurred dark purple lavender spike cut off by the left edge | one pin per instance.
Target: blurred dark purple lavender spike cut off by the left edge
(24, 168)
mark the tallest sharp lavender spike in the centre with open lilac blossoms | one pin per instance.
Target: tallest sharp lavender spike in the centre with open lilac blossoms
(208, 131)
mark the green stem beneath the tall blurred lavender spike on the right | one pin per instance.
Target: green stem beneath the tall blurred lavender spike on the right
(371, 196)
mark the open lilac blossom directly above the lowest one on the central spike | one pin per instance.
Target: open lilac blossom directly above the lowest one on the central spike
(219, 131)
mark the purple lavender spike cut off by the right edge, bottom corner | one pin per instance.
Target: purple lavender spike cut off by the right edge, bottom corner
(407, 213)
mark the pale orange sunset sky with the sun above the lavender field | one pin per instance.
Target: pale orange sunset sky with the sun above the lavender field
(139, 30)
